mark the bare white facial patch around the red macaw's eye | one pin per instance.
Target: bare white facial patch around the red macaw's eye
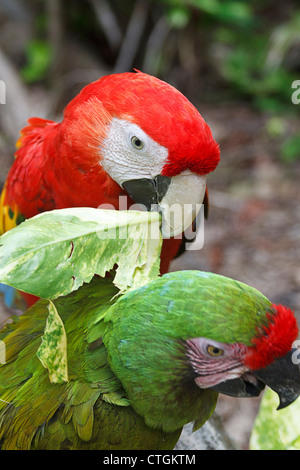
(129, 153)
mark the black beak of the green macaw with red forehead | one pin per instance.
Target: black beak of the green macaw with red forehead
(282, 376)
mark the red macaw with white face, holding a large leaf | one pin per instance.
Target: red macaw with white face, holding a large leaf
(127, 134)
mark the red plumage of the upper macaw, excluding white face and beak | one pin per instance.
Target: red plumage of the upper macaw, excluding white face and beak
(57, 164)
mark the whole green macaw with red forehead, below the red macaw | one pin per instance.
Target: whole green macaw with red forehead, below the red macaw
(143, 364)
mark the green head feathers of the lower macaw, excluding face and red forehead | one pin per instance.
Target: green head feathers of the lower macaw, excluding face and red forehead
(176, 307)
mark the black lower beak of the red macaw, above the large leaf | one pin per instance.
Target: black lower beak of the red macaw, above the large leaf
(147, 191)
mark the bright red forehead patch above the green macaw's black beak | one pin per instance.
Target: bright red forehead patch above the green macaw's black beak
(274, 340)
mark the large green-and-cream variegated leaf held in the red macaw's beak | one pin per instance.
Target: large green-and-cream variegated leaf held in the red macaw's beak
(54, 253)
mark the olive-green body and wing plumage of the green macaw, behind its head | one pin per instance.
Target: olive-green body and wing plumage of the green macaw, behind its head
(37, 414)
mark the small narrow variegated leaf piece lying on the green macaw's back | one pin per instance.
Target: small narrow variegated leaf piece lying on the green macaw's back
(53, 351)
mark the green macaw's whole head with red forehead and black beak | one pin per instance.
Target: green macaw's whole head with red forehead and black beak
(178, 341)
